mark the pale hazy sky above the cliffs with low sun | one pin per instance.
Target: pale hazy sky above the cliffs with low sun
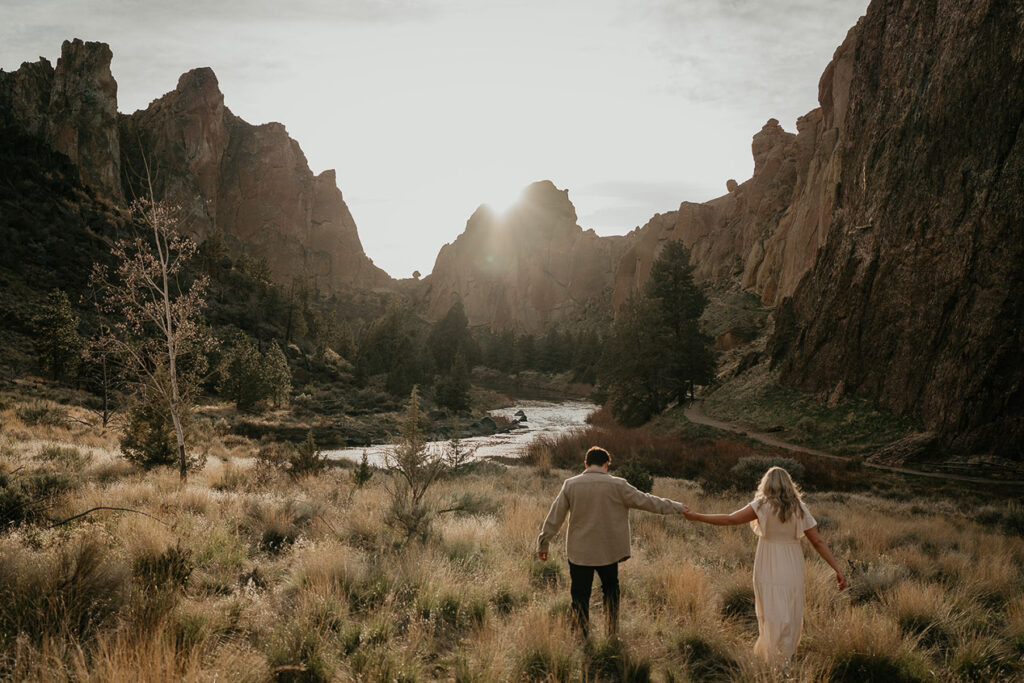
(429, 109)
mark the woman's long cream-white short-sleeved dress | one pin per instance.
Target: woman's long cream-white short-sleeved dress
(779, 580)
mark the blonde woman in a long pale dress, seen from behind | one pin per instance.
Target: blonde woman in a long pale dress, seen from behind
(780, 519)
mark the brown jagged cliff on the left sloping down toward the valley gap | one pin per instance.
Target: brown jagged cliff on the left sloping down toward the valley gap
(251, 183)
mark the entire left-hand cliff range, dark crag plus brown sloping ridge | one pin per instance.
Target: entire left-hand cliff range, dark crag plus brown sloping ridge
(251, 183)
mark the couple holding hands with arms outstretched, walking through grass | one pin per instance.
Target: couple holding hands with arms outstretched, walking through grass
(599, 539)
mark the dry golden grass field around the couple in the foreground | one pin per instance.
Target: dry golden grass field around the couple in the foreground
(243, 575)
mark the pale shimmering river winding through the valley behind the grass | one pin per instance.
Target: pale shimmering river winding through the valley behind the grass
(543, 418)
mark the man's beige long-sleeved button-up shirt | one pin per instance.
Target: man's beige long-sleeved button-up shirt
(599, 506)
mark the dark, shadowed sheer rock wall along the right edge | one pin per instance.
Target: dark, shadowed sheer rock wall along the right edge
(916, 297)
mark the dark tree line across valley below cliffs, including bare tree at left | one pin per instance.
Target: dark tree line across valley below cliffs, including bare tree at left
(174, 320)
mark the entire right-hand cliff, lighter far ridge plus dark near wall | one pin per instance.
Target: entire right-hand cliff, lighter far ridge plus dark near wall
(888, 230)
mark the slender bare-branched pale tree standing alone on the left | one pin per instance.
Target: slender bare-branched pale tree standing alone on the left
(156, 311)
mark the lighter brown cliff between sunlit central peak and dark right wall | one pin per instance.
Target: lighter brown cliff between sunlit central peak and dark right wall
(765, 233)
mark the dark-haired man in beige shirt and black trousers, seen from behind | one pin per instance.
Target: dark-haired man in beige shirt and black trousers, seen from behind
(599, 536)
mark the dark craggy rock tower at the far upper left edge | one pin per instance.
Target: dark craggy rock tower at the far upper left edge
(73, 108)
